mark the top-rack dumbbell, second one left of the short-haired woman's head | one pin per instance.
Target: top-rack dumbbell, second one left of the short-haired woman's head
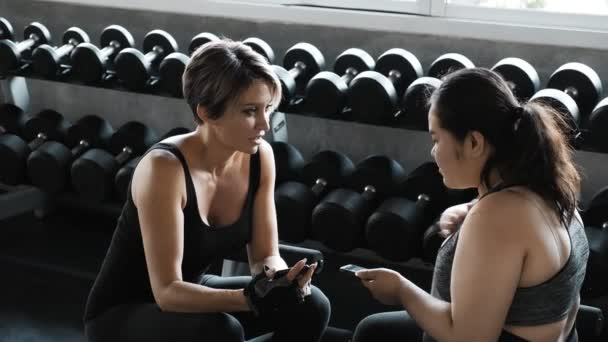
(134, 68)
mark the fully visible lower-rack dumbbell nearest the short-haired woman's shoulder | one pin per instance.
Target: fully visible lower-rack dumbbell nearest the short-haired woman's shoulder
(93, 173)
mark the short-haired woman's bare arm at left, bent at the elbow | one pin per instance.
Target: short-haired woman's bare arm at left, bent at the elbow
(158, 189)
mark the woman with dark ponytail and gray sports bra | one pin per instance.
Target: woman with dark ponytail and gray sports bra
(514, 269)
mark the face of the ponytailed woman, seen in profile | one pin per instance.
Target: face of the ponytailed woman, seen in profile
(459, 162)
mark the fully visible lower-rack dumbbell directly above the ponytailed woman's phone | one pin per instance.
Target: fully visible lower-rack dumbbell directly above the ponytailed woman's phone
(396, 228)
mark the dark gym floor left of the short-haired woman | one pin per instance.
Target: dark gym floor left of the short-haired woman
(48, 268)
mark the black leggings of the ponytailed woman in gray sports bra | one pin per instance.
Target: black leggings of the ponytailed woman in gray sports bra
(400, 326)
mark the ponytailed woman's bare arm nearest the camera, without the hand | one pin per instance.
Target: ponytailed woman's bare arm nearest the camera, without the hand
(485, 274)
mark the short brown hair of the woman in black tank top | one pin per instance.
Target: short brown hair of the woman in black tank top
(220, 71)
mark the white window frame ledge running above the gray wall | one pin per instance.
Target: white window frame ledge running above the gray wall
(447, 21)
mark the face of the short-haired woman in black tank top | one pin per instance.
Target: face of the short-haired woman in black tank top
(245, 121)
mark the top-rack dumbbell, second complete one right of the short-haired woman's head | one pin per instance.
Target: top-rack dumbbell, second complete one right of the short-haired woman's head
(326, 92)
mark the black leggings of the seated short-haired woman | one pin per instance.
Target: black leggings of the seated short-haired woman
(136, 322)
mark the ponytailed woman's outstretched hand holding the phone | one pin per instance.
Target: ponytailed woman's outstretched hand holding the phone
(384, 284)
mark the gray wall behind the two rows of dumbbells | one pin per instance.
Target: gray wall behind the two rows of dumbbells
(308, 134)
